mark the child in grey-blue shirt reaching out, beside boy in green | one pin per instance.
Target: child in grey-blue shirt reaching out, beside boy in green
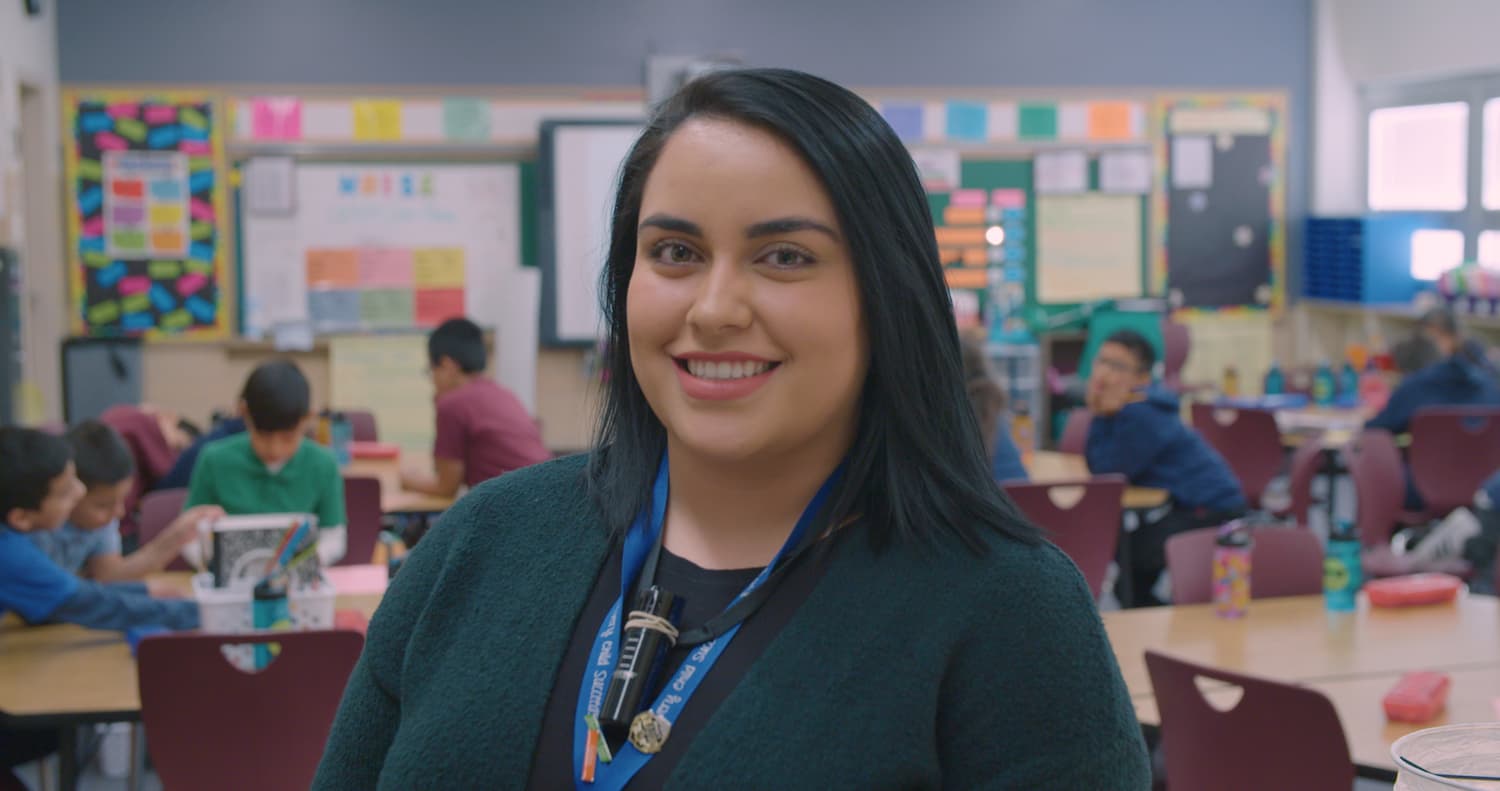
(89, 543)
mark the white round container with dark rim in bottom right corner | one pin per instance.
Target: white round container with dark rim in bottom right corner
(1471, 751)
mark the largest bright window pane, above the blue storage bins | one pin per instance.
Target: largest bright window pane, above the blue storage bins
(1418, 158)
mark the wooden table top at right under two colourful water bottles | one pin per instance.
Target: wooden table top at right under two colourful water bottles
(1295, 640)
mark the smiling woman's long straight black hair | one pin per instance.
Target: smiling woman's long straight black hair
(917, 469)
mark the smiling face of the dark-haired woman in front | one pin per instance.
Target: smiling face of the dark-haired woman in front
(745, 319)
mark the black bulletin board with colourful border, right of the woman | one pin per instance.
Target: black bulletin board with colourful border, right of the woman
(1220, 217)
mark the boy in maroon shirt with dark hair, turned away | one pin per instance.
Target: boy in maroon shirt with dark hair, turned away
(484, 430)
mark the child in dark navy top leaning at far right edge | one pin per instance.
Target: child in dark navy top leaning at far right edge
(1462, 377)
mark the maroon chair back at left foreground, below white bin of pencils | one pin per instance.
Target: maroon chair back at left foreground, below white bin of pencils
(217, 727)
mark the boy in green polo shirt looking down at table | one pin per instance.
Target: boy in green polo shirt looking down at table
(272, 468)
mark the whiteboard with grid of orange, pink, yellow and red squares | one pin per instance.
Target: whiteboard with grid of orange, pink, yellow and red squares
(355, 248)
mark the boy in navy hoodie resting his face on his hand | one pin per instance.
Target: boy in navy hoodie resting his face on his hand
(1138, 433)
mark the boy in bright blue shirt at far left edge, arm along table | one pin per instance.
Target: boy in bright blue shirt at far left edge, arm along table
(41, 490)
